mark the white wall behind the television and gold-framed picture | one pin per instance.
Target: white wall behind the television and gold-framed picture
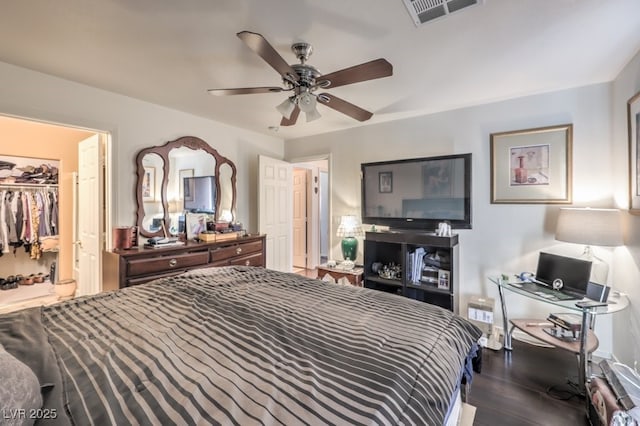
(504, 238)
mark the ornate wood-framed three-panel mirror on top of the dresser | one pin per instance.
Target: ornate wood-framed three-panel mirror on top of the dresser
(182, 175)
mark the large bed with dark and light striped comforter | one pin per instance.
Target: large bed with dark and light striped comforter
(238, 345)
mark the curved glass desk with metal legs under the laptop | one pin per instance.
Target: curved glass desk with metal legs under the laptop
(615, 303)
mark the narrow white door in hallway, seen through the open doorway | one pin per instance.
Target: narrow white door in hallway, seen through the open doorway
(300, 218)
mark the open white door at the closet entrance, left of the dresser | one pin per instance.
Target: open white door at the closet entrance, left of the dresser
(88, 246)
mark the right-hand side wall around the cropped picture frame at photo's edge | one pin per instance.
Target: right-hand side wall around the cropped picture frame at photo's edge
(627, 262)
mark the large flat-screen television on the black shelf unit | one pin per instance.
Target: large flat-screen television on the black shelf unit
(418, 193)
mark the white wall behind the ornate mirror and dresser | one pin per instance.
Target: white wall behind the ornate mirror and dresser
(134, 125)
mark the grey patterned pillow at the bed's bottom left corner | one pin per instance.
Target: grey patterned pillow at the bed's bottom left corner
(19, 391)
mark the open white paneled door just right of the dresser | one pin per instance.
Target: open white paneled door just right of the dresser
(275, 211)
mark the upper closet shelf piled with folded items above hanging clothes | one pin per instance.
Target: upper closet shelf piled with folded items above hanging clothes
(28, 170)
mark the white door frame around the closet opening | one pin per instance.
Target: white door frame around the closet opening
(106, 135)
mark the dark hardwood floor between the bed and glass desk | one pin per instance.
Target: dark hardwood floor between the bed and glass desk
(514, 388)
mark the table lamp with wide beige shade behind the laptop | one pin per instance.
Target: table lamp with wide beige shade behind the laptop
(597, 227)
